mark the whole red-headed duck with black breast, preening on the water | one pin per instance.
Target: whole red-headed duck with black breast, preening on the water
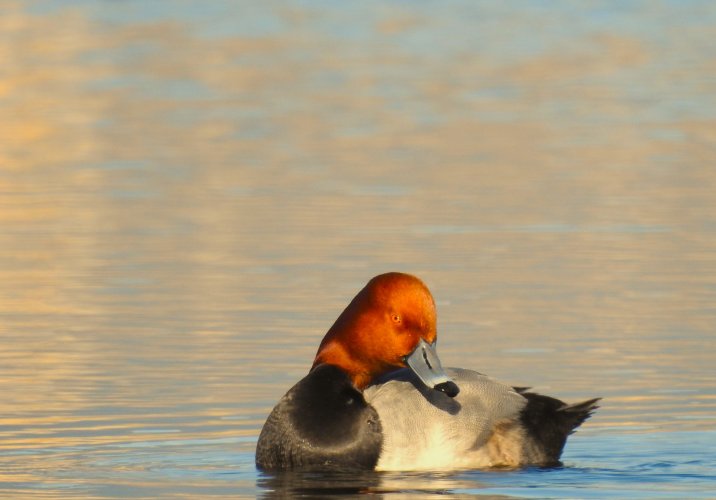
(377, 398)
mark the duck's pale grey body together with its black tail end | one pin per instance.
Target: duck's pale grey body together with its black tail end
(487, 424)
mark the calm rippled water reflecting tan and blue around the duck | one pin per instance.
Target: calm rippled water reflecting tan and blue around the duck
(190, 193)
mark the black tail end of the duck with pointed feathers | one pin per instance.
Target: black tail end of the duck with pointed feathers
(548, 421)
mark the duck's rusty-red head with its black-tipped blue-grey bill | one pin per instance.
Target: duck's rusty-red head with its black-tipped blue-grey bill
(391, 323)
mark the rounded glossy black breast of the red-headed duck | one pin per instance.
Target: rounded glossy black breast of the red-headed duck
(321, 422)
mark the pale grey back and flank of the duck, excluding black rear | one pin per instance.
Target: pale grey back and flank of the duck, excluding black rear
(426, 429)
